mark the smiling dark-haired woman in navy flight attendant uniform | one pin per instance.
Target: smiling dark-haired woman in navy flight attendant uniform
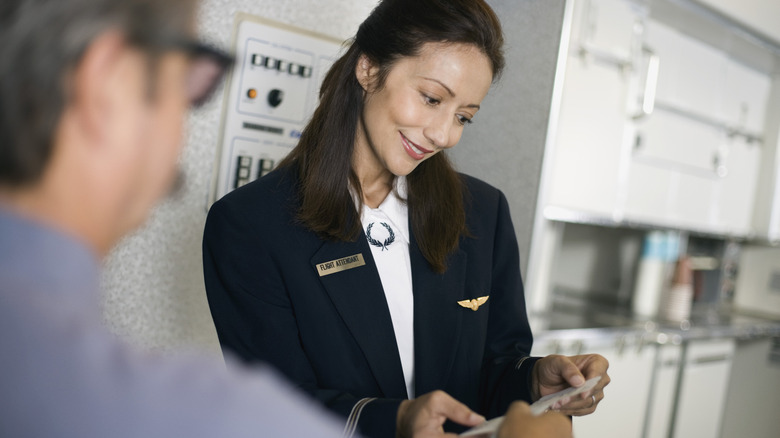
(365, 268)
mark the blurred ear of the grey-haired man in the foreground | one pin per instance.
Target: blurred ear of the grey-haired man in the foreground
(93, 93)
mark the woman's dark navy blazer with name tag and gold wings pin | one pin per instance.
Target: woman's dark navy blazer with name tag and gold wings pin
(332, 335)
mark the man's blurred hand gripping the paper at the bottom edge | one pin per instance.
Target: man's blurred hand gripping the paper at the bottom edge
(519, 423)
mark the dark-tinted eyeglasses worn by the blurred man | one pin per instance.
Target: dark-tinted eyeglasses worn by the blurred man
(208, 66)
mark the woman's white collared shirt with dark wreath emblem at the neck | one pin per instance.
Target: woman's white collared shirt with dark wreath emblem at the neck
(387, 228)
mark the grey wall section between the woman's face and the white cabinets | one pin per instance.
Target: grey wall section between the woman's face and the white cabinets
(505, 145)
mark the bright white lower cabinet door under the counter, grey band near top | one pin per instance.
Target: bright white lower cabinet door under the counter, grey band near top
(703, 387)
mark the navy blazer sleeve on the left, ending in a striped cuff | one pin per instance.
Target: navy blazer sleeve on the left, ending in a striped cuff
(256, 321)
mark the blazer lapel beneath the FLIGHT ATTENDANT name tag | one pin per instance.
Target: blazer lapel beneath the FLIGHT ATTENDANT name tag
(359, 298)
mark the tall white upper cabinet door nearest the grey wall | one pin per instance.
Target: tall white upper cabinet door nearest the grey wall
(592, 121)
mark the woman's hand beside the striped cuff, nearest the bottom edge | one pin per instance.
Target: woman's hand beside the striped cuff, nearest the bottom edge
(424, 416)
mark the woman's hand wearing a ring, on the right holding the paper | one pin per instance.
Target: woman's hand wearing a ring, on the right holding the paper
(555, 373)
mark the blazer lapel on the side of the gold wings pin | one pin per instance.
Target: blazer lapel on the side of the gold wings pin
(437, 317)
